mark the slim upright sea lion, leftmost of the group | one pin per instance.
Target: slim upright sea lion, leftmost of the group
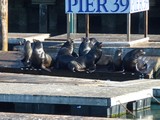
(27, 53)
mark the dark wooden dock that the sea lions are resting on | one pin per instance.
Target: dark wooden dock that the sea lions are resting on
(11, 62)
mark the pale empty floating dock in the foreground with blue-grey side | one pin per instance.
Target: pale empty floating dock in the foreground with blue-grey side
(77, 96)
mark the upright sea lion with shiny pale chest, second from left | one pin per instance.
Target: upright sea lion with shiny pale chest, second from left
(39, 58)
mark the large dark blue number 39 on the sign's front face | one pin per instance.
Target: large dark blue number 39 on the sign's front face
(121, 3)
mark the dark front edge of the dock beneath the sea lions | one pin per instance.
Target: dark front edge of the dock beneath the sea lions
(119, 76)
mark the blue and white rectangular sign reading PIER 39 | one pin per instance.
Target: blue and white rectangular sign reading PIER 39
(105, 6)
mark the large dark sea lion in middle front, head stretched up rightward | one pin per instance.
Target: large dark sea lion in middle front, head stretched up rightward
(87, 62)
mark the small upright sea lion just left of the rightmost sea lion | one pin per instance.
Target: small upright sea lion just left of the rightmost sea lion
(117, 60)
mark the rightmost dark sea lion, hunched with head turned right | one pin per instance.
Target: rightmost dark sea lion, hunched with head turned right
(130, 60)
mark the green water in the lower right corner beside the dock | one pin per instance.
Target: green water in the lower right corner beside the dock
(152, 113)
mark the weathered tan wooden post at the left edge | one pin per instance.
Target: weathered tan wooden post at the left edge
(4, 24)
